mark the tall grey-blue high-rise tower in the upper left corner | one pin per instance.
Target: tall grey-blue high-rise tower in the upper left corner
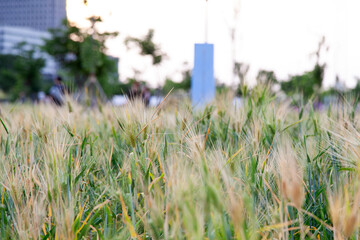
(36, 14)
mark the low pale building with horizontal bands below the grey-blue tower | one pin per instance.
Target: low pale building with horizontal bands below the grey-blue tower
(12, 36)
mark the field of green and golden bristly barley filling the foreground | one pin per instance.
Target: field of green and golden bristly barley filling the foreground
(264, 170)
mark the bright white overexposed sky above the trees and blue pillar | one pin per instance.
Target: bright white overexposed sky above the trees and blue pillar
(277, 35)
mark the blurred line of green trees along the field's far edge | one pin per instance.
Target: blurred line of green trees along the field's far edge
(81, 53)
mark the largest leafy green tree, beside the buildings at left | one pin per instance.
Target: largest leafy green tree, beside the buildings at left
(82, 52)
